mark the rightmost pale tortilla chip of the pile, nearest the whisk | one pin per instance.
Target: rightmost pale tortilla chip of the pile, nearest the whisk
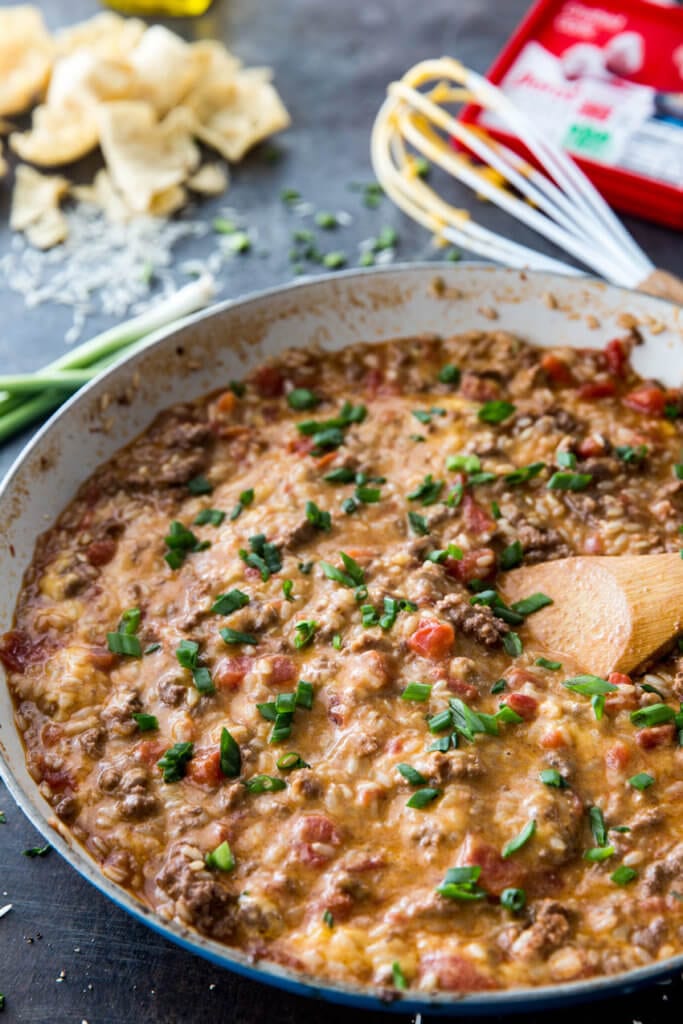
(233, 116)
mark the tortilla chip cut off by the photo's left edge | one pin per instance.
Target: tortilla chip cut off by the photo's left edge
(26, 58)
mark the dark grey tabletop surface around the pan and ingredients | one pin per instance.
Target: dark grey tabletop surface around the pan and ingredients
(332, 62)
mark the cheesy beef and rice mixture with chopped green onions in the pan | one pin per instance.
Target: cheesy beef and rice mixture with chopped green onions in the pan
(265, 675)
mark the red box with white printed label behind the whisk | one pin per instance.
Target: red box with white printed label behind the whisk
(605, 79)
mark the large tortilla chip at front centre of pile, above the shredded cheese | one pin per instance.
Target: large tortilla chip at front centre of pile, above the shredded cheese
(147, 157)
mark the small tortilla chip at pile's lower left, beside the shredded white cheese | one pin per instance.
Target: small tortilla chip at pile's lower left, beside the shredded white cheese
(35, 207)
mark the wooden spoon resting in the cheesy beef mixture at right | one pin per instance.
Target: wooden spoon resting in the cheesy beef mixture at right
(610, 614)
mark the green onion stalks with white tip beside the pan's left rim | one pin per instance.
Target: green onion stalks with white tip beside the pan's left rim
(27, 398)
